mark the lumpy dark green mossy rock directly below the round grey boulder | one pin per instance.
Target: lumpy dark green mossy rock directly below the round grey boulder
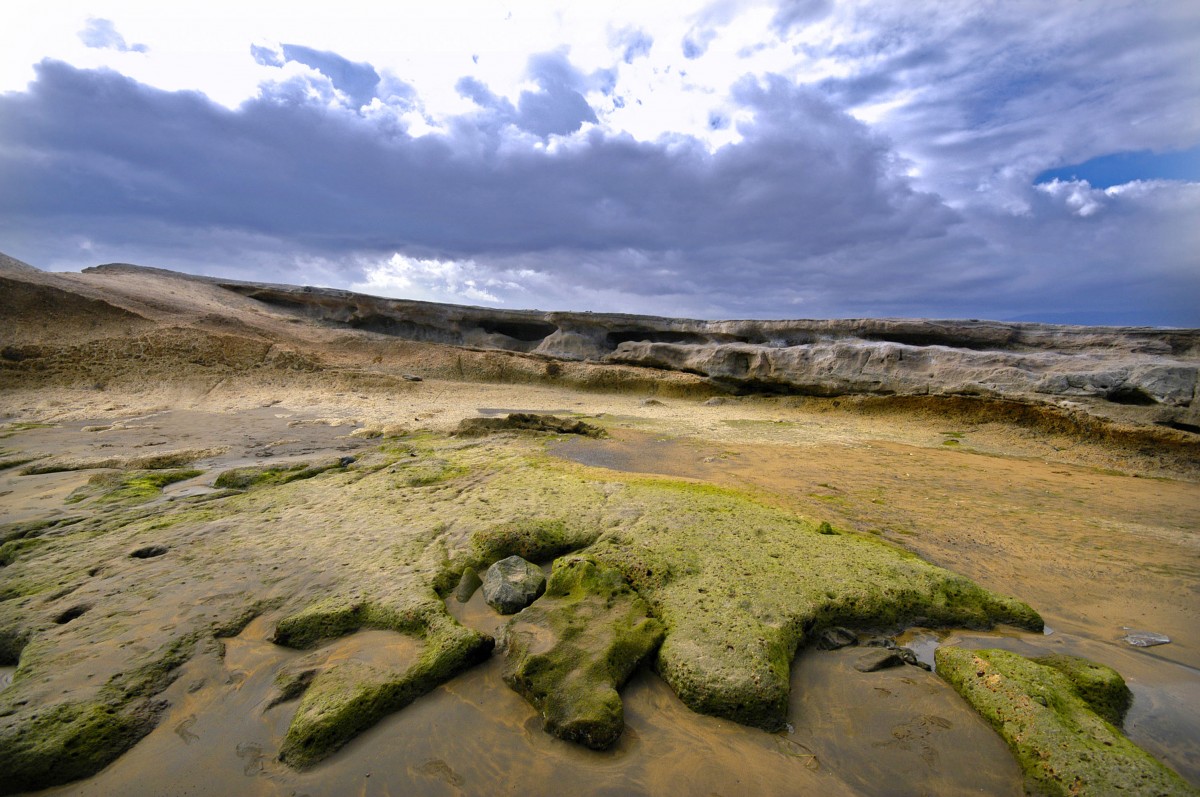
(569, 654)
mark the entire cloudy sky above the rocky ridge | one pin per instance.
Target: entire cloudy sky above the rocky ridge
(731, 159)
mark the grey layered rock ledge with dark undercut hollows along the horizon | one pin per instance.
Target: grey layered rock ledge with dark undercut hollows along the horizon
(1138, 367)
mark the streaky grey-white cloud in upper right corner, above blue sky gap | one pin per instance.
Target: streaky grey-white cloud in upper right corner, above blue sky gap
(985, 100)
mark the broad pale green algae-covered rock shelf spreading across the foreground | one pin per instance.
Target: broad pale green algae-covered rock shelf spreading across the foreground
(736, 585)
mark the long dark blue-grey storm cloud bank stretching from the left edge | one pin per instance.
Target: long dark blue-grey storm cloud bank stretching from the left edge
(97, 146)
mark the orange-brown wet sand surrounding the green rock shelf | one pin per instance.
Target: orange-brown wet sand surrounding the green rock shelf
(1091, 550)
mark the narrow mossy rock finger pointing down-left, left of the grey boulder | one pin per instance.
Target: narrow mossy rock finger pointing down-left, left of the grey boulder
(351, 697)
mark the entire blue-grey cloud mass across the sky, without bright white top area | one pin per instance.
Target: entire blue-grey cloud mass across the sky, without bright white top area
(532, 199)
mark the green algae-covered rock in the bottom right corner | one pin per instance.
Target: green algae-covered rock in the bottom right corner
(1054, 729)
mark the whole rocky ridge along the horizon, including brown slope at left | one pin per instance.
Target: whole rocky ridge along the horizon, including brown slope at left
(1132, 375)
